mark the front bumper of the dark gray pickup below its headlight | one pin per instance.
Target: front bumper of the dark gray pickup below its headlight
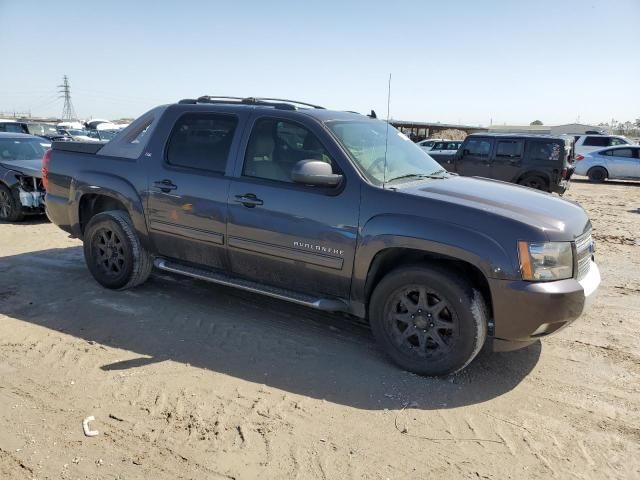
(526, 311)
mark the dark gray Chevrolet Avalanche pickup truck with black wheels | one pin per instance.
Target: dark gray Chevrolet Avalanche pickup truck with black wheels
(333, 210)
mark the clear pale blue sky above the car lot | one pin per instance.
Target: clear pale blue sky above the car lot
(451, 61)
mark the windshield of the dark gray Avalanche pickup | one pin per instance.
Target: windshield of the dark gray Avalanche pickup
(366, 141)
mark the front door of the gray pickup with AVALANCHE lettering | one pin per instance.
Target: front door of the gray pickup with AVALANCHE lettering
(286, 234)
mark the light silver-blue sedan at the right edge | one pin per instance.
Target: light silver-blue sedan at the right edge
(621, 162)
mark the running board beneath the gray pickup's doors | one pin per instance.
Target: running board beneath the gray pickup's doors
(325, 304)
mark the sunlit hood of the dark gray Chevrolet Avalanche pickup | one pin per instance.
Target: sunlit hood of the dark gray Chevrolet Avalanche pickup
(558, 219)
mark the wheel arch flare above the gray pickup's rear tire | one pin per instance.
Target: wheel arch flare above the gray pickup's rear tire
(119, 189)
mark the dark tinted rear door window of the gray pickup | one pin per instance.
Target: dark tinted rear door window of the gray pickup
(201, 141)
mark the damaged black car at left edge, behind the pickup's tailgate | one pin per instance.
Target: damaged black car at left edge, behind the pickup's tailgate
(21, 188)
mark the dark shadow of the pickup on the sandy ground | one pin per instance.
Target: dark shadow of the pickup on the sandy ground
(292, 348)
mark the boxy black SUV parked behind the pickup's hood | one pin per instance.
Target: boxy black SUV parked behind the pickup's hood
(542, 162)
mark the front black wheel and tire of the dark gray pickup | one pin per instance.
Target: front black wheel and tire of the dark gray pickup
(445, 317)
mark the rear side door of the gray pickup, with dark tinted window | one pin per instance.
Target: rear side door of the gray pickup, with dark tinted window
(187, 201)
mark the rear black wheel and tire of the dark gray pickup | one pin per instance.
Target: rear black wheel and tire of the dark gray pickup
(113, 252)
